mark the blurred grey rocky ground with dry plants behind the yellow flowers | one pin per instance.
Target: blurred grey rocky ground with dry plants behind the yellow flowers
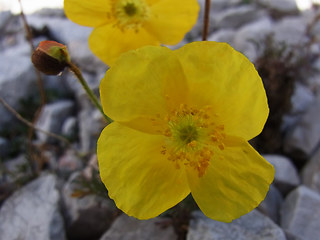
(60, 198)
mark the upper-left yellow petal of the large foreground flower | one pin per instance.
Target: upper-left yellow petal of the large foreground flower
(141, 85)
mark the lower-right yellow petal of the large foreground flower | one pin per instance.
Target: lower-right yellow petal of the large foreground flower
(236, 181)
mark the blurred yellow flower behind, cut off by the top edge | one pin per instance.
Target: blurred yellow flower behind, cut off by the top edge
(122, 25)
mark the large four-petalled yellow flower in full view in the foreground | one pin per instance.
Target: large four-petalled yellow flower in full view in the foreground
(183, 119)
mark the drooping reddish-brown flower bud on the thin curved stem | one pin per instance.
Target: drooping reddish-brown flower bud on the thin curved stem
(50, 57)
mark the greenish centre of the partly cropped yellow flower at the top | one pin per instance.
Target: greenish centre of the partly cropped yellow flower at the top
(130, 14)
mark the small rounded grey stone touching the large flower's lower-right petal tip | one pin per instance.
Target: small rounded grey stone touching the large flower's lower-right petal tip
(286, 175)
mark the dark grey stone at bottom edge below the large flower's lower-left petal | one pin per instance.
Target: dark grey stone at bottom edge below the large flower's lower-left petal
(128, 228)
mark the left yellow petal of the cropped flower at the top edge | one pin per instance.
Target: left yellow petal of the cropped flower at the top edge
(88, 13)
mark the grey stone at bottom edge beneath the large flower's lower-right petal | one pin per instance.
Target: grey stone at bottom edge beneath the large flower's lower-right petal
(251, 226)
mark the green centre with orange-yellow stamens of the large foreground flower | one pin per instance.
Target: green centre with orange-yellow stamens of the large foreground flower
(192, 138)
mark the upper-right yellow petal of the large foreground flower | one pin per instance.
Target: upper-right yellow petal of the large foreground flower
(225, 79)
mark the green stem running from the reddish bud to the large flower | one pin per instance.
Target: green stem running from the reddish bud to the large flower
(91, 95)
